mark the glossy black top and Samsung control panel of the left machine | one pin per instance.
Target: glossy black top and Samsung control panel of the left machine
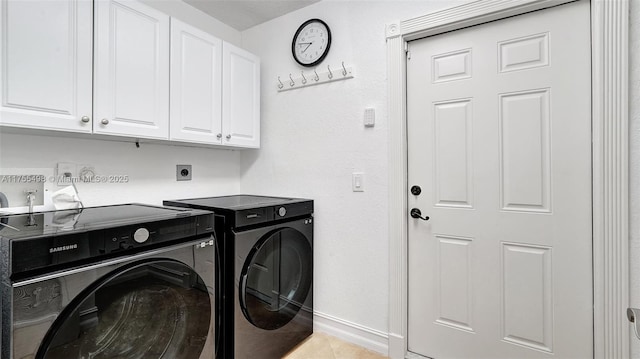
(32, 244)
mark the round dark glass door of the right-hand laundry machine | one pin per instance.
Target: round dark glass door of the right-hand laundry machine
(276, 279)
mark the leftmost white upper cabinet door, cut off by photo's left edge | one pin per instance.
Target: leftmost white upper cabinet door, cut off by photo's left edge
(45, 64)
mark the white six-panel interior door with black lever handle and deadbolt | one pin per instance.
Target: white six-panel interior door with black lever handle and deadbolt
(499, 140)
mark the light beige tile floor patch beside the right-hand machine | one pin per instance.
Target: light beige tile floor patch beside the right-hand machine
(323, 346)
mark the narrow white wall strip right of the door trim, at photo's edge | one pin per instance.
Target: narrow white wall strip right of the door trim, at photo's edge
(634, 166)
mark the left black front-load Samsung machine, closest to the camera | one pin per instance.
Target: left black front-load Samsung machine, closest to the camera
(124, 281)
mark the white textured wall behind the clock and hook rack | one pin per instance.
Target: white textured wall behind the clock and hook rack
(313, 139)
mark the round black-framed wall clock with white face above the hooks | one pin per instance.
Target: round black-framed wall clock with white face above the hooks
(311, 42)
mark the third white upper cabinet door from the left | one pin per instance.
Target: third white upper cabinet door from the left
(196, 84)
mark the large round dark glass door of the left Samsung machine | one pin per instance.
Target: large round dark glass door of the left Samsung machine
(152, 309)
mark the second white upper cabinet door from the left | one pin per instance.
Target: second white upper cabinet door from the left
(131, 79)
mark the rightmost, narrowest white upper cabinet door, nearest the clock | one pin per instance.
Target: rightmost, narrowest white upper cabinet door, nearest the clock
(240, 97)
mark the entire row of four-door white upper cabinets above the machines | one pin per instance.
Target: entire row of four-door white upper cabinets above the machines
(122, 68)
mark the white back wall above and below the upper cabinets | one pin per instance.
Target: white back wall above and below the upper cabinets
(151, 168)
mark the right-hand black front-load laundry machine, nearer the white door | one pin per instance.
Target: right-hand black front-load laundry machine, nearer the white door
(267, 271)
